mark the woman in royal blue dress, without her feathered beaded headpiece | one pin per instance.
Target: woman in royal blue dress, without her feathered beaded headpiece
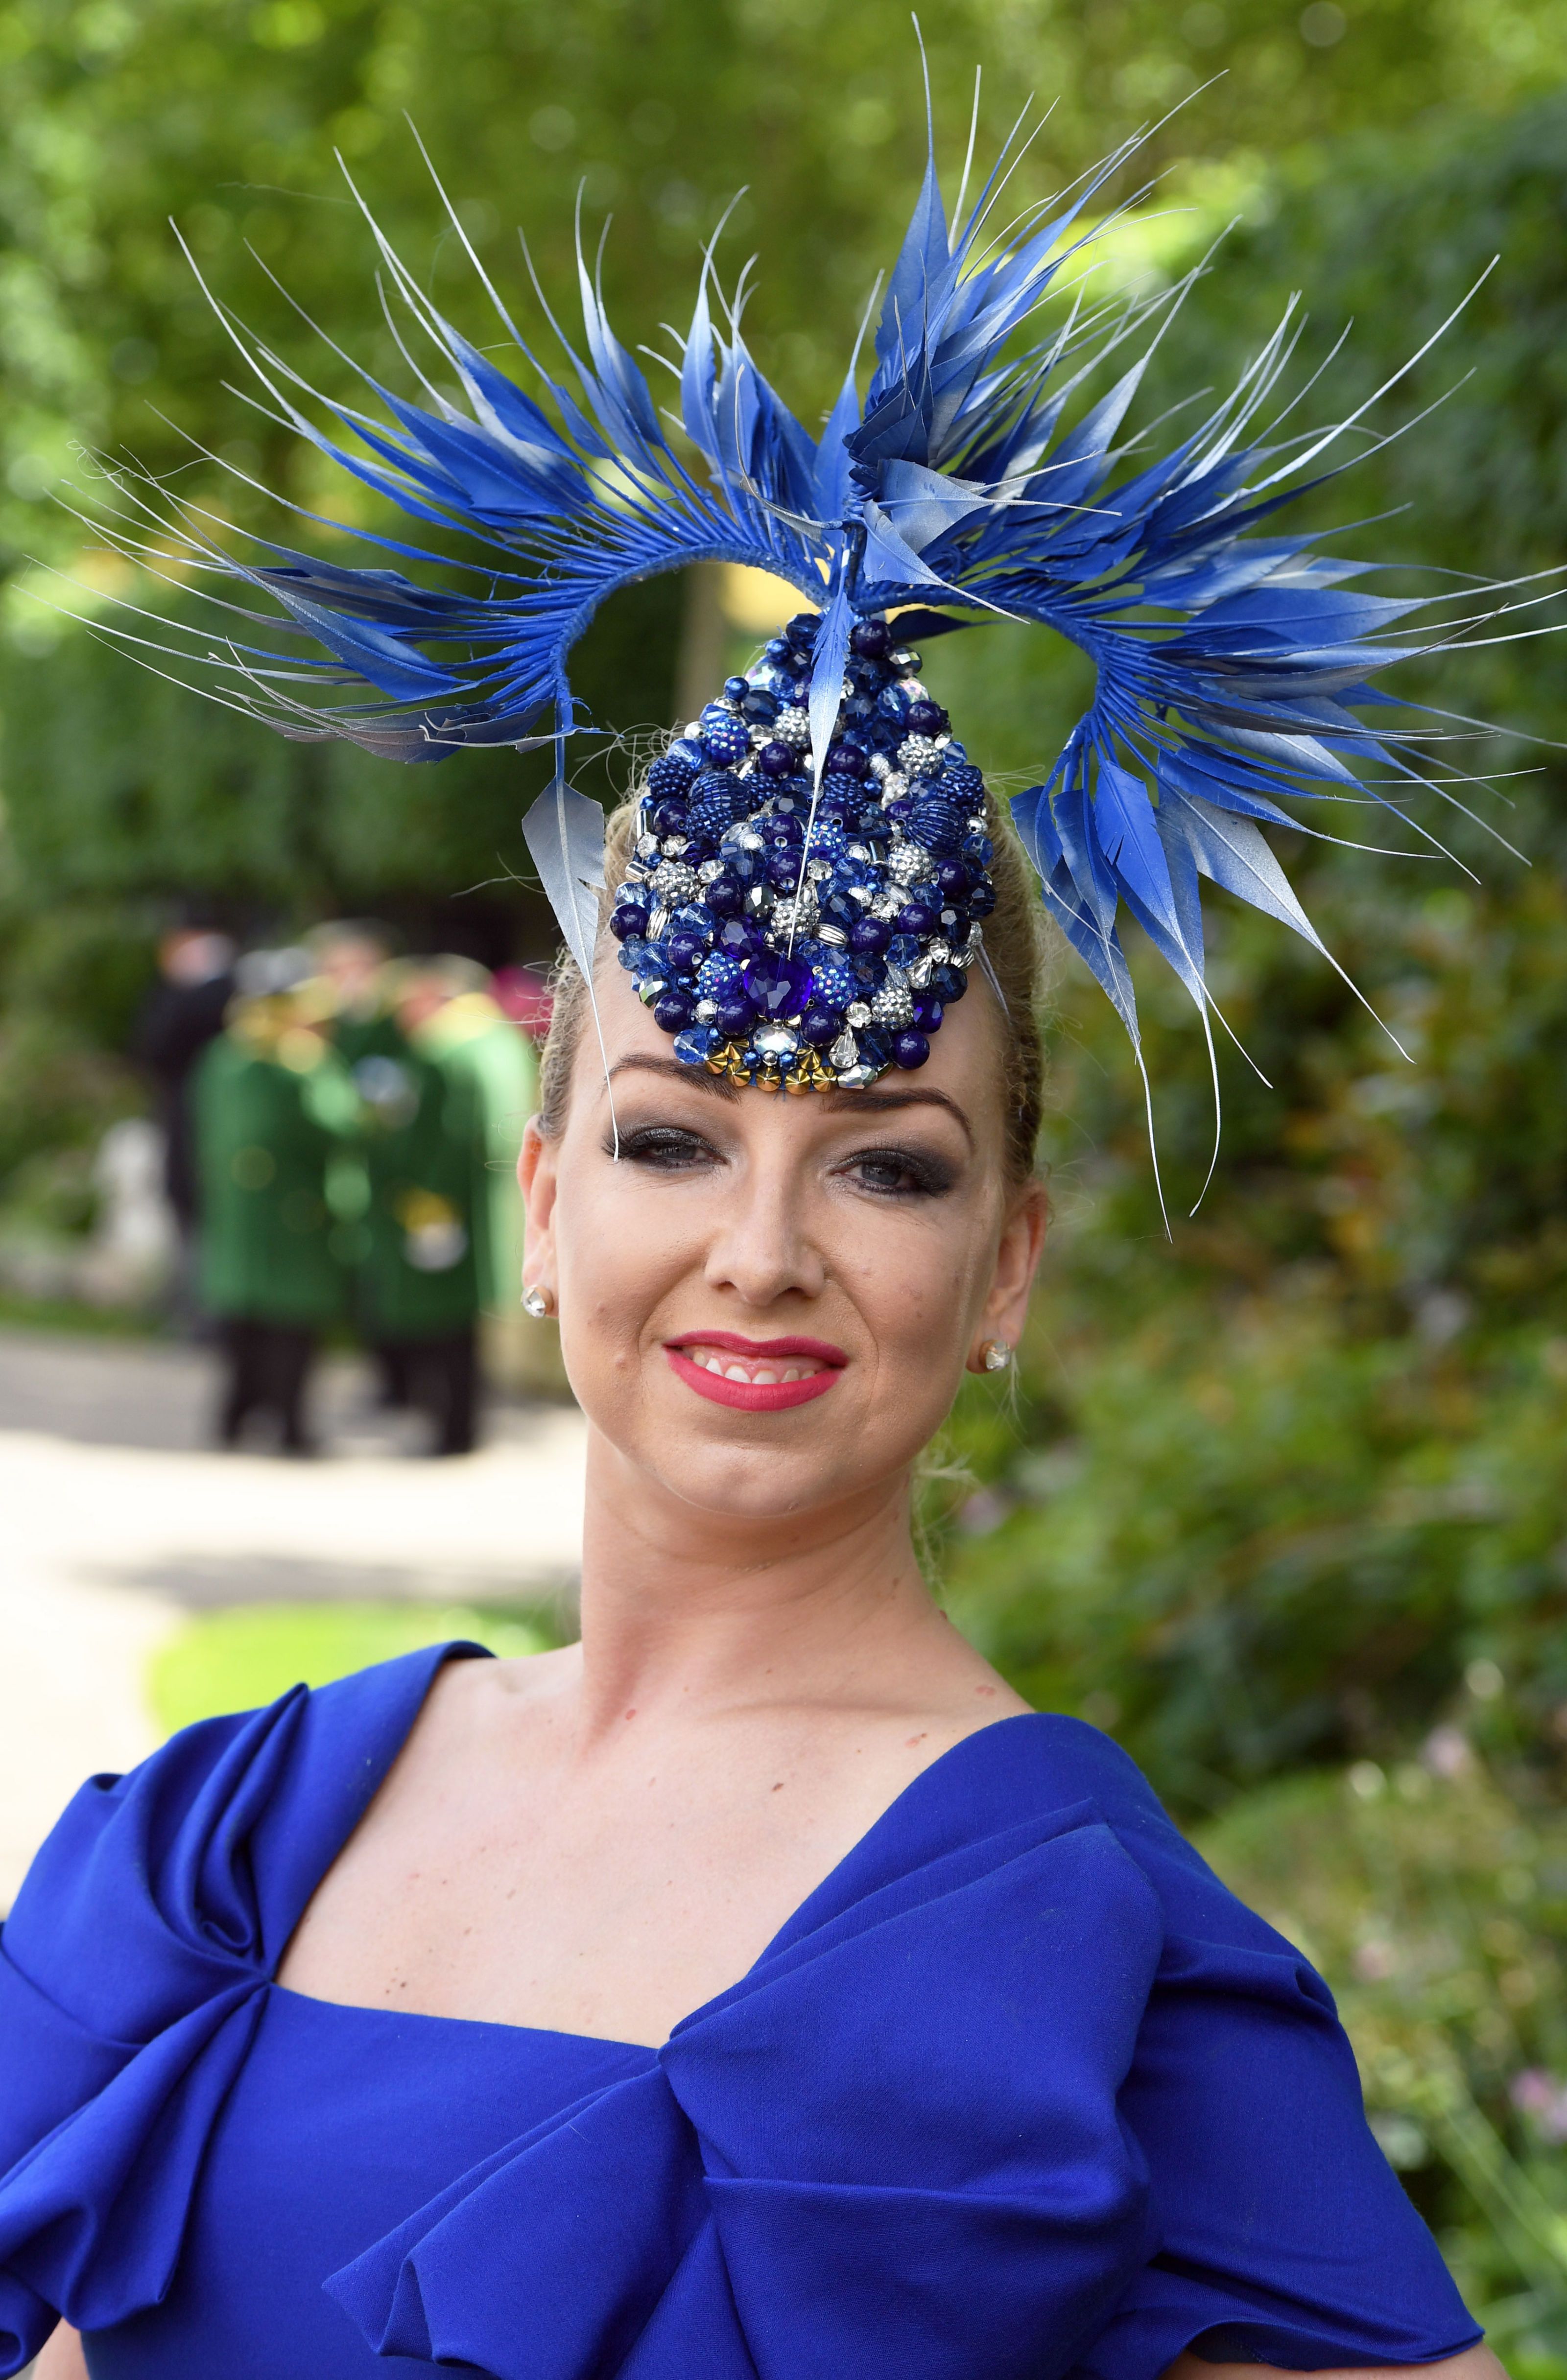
(397, 1981)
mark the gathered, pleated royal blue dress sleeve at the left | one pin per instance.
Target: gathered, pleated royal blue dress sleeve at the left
(130, 1984)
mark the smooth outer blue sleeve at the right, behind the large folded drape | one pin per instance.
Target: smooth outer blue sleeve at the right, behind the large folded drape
(1282, 2231)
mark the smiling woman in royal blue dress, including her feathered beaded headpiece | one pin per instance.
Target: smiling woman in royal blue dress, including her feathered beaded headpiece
(758, 1988)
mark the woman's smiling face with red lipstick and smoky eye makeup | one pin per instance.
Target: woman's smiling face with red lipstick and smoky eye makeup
(768, 1301)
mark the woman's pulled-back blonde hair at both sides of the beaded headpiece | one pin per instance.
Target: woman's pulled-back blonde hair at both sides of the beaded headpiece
(1016, 948)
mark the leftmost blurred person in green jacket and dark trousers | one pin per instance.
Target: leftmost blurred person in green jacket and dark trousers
(273, 1110)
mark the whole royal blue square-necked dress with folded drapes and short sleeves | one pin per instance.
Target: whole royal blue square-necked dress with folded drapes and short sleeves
(1018, 2093)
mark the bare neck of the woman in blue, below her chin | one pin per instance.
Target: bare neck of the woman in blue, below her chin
(687, 1612)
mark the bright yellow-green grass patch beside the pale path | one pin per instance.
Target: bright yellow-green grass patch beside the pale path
(254, 1653)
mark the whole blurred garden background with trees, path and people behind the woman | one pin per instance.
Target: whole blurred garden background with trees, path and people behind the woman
(1282, 1501)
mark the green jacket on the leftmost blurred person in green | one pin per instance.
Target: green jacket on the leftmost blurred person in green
(268, 1136)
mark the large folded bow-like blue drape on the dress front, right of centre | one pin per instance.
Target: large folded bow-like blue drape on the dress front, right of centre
(894, 2150)
